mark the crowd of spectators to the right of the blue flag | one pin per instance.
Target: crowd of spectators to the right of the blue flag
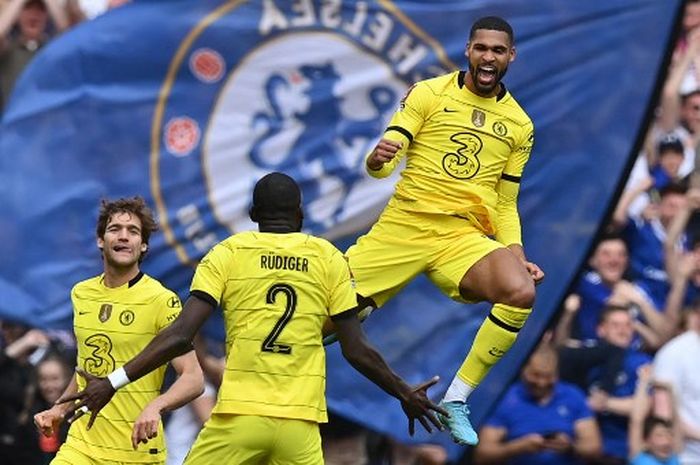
(617, 379)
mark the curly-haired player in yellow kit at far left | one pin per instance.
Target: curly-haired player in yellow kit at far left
(115, 315)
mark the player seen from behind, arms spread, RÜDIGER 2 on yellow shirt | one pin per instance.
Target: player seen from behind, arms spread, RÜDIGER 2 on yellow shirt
(277, 287)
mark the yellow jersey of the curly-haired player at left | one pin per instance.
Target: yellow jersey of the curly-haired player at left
(112, 325)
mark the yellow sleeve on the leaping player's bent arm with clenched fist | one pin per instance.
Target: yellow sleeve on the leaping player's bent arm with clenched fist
(404, 125)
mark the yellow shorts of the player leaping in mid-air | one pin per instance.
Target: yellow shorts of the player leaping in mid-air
(402, 244)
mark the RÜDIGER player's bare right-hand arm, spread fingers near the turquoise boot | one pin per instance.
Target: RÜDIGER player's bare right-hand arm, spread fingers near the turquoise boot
(365, 359)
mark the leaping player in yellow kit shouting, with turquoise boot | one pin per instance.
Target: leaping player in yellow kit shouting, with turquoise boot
(453, 215)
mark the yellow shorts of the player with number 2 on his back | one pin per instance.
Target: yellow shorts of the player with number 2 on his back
(248, 440)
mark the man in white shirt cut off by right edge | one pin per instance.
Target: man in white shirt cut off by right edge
(676, 364)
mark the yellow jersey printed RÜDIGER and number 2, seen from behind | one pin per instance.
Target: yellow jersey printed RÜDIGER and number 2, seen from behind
(275, 291)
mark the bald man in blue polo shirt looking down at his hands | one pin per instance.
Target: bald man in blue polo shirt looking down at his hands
(540, 421)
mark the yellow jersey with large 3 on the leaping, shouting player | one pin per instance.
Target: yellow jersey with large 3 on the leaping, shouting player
(464, 153)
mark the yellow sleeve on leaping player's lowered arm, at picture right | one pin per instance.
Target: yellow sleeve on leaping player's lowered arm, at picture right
(508, 187)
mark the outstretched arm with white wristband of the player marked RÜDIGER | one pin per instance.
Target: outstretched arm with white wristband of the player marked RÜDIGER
(173, 341)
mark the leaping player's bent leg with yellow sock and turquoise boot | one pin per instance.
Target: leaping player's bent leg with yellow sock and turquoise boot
(499, 277)
